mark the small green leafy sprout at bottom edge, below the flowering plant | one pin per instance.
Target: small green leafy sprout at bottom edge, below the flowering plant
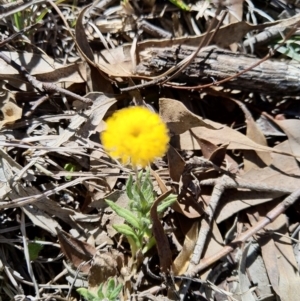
(108, 292)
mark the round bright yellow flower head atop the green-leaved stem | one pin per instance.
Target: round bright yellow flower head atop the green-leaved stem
(135, 135)
